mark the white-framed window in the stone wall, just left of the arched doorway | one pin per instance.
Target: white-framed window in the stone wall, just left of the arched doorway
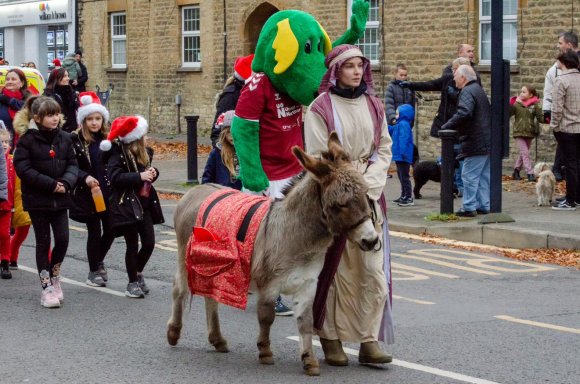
(190, 39)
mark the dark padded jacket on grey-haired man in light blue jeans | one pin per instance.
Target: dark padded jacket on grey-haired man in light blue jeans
(472, 121)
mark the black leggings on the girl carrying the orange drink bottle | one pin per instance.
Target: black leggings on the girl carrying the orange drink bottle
(99, 240)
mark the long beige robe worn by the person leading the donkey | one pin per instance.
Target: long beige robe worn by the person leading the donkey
(357, 296)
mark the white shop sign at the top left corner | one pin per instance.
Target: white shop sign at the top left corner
(34, 13)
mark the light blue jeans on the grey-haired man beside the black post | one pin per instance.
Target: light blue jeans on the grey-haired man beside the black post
(475, 175)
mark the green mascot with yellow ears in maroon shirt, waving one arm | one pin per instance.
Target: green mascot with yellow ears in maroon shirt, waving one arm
(288, 67)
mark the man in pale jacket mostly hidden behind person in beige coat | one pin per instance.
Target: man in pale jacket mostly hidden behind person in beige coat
(566, 41)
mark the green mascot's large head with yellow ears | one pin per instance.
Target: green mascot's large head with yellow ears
(291, 51)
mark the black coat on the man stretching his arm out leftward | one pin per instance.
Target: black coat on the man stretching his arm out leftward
(449, 93)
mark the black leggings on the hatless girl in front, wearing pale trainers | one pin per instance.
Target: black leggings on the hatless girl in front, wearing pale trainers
(42, 221)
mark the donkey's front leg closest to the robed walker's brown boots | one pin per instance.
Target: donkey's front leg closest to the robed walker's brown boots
(303, 300)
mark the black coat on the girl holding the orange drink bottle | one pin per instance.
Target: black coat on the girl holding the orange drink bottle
(83, 206)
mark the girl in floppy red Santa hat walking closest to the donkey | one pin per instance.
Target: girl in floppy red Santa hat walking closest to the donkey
(134, 205)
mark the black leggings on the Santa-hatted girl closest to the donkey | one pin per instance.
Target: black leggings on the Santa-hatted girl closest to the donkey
(135, 258)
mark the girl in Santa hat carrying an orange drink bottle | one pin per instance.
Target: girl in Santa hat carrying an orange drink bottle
(93, 119)
